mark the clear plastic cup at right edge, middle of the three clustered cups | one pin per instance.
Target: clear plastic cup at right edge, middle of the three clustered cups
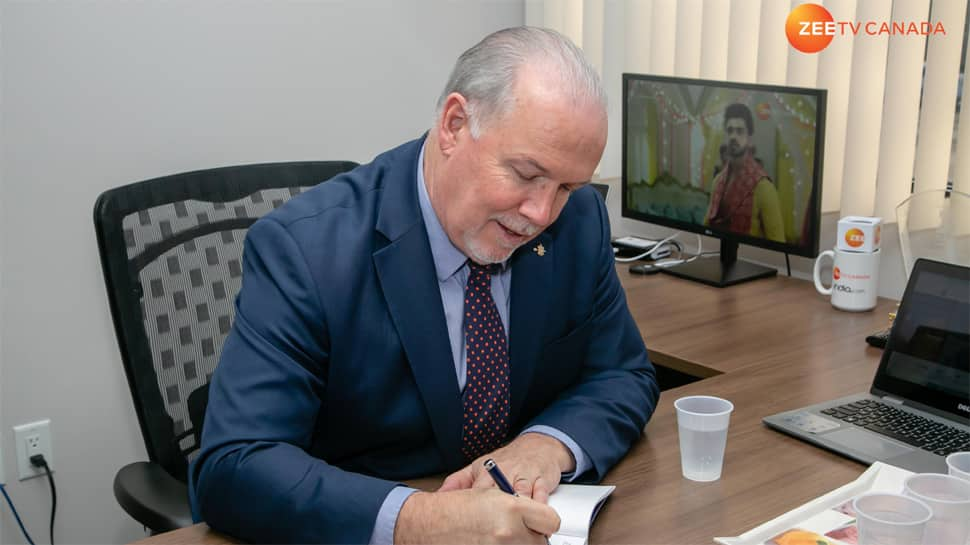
(949, 498)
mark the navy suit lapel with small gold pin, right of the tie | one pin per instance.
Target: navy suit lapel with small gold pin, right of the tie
(530, 276)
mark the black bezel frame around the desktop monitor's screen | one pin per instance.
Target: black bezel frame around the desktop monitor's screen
(810, 249)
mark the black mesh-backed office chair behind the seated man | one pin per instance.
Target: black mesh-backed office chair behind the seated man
(171, 252)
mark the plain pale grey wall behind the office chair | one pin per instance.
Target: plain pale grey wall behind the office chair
(99, 94)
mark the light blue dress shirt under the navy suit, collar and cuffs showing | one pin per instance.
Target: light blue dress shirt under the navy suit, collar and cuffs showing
(452, 270)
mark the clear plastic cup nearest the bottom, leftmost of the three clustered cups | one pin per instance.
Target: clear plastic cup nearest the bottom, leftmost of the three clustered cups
(891, 519)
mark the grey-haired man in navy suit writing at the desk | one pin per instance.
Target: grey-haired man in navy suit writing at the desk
(454, 300)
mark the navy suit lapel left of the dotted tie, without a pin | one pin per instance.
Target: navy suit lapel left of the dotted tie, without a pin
(405, 268)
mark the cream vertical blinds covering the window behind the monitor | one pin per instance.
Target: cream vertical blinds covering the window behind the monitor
(890, 119)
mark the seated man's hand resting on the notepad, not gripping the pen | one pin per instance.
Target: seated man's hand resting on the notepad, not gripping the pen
(533, 463)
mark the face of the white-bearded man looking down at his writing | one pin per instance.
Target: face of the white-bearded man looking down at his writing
(494, 194)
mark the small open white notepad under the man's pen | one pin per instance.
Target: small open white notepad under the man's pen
(577, 506)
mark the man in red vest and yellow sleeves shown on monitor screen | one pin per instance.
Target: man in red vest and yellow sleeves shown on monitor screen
(743, 199)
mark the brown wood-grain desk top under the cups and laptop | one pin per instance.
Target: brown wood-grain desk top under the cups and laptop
(768, 345)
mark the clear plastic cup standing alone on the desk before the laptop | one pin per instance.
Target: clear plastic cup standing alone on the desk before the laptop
(702, 423)
